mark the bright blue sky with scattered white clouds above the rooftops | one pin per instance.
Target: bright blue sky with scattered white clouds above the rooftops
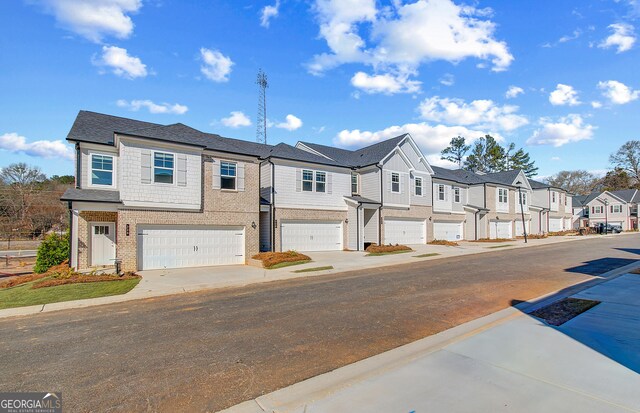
(558, 78)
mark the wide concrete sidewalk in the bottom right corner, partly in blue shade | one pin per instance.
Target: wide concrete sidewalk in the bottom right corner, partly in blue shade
(508, 361)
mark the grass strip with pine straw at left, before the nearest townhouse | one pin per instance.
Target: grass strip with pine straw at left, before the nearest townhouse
(23, 295)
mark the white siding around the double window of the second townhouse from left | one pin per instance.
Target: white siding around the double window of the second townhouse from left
(338, 185)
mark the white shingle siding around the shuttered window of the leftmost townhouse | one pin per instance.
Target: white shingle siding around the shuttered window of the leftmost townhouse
(135, 193)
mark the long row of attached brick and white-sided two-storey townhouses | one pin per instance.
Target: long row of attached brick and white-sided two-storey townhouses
(169, 196)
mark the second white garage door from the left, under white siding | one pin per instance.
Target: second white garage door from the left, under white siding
(311, 235)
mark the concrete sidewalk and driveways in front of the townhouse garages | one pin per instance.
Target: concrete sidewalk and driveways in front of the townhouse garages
(158, 283)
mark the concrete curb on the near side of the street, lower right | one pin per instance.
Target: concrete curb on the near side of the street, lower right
(295, 397)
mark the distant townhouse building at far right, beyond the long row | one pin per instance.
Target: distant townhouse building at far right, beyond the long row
(614, 207)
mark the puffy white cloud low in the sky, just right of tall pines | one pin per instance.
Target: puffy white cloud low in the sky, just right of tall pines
(571, 128)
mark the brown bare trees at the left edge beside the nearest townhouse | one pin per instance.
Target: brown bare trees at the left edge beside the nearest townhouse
(30, 202)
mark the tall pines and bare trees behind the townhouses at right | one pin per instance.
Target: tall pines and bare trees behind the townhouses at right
(486, 155)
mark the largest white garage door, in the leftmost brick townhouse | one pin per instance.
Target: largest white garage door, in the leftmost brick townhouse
(177, 246)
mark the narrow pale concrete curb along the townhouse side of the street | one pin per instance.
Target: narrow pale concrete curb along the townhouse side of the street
(141, 295)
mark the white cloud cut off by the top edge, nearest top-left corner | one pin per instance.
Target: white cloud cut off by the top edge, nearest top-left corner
(94, 19)
